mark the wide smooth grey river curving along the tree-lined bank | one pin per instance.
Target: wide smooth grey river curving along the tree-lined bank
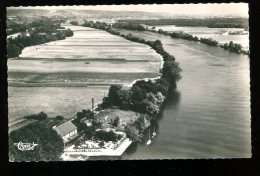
(209, 114)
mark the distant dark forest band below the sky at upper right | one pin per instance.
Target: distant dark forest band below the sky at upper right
(208, 22)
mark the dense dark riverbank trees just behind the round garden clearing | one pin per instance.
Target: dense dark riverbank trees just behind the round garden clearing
(143, 97)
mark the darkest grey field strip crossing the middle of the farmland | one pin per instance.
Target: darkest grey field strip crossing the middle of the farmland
(73, 79)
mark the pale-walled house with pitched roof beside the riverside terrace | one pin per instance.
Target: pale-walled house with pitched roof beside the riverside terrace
(67, 131)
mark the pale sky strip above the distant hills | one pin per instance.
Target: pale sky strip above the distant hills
(224, 9)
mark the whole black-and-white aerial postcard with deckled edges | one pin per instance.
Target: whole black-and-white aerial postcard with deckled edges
(128, 82)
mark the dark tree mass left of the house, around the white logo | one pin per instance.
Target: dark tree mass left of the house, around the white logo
(49, 148)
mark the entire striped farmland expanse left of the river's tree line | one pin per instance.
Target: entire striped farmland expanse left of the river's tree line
(57, 76)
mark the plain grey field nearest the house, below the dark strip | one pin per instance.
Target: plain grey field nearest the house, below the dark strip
(65, 101)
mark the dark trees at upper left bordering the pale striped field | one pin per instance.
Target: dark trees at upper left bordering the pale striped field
(37, 32)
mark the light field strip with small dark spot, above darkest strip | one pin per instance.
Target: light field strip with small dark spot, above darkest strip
(113, 66)
